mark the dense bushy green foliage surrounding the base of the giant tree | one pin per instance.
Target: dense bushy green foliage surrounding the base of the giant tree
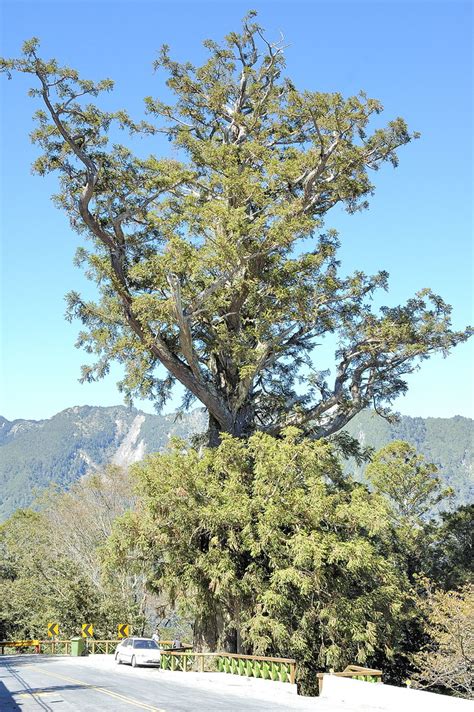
(264, 535)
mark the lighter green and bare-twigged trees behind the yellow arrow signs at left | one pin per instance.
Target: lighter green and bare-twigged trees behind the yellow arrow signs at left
(52, 566)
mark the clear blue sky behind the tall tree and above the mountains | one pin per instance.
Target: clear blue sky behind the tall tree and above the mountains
(416, 57)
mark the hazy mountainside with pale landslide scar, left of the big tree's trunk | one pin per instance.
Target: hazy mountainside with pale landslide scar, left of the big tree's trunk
(75, 441)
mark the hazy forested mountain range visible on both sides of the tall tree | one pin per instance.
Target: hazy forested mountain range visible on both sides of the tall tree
(63, 448)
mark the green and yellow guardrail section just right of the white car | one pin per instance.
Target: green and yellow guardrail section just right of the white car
(267, 668)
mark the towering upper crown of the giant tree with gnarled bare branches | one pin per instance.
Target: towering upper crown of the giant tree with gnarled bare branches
(213, 264)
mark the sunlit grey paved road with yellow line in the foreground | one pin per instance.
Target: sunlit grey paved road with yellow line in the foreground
(30, 683)
